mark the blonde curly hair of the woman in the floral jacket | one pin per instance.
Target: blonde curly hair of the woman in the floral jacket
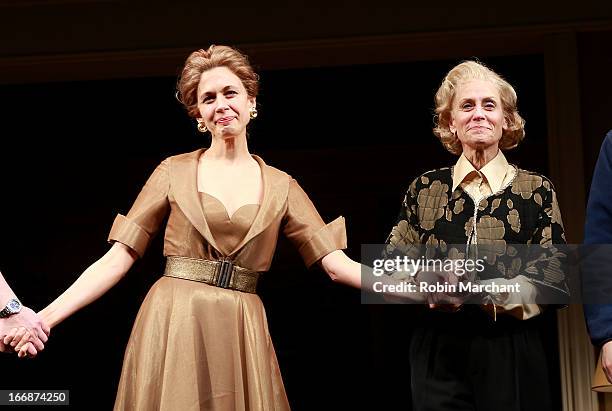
(464, 72)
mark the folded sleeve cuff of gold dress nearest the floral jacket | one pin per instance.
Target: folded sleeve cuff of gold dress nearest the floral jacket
(329, 238)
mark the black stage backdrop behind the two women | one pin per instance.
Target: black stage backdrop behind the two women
(74, 154)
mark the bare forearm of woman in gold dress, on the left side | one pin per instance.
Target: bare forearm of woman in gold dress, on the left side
(91, 285)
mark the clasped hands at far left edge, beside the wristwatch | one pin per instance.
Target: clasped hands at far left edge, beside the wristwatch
(25, 333)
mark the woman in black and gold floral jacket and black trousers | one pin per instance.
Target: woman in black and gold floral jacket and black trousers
(488, 355)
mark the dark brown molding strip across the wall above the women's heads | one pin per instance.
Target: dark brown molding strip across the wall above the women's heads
(112, 64)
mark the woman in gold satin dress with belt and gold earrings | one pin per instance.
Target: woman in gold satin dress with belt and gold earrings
(200, 340)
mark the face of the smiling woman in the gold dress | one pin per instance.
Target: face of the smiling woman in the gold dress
(223, 103)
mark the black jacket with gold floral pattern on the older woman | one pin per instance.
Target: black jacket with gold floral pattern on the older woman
(428, 219)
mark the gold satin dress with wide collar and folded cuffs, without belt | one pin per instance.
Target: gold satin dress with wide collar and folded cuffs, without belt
(199, 347)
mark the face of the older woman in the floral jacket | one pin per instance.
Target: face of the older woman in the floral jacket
(477, 115)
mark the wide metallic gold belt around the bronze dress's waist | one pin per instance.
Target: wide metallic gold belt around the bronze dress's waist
(221, 273)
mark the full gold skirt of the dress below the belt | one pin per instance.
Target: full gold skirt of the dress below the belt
(200, 347)
